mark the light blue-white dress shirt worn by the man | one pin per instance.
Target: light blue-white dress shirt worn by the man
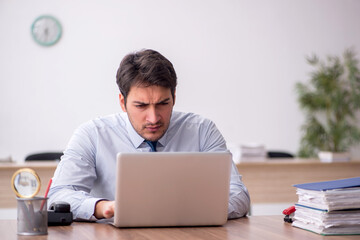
(86, 172)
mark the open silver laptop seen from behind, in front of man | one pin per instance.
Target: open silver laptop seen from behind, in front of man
(157, 189)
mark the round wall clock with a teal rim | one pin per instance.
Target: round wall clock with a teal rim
(46, 30)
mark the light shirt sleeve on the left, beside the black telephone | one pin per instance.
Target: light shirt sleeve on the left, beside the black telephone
(75, 175)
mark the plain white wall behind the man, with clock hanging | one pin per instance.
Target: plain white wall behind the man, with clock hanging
(237, 63)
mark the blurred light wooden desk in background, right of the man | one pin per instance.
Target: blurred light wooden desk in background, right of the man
(271, 181)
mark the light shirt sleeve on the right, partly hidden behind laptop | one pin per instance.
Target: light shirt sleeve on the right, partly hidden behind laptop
(239, 199)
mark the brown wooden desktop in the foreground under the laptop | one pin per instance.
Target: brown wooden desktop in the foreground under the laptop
(256, 227)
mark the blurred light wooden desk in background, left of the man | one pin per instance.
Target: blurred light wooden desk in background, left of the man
(45, 170)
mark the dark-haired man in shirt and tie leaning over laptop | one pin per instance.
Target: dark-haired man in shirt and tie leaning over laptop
(85, 176)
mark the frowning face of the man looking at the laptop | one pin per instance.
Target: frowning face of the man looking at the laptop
(149, 110)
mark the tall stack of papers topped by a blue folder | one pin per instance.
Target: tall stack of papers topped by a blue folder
(329, 208)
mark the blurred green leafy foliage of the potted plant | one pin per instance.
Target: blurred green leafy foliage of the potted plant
(331, 102)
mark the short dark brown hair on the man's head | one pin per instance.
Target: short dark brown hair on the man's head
(145, 68)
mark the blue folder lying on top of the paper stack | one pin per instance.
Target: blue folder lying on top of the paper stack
(328, 185)
